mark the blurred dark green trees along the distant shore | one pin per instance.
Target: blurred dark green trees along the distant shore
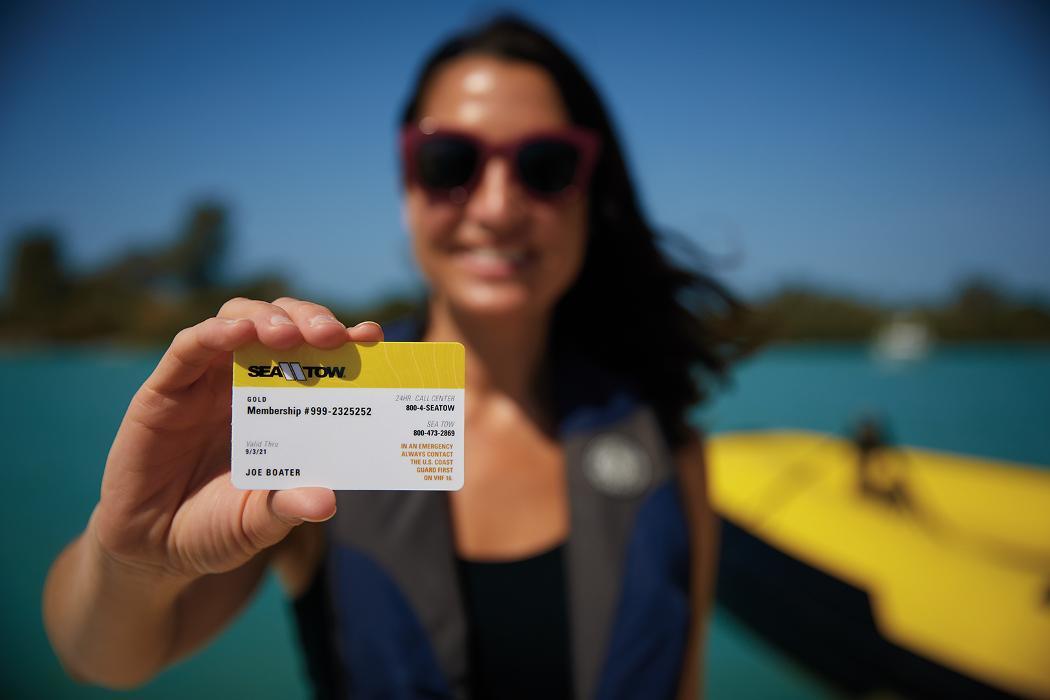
(146, 296)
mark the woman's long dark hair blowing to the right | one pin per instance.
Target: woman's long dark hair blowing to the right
(664, 328)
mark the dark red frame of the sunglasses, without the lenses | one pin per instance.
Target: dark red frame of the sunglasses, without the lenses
(586, 141)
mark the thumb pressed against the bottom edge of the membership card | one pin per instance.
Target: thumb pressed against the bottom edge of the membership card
(269, 520)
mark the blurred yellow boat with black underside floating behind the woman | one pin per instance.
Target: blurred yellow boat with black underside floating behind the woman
(940, 586)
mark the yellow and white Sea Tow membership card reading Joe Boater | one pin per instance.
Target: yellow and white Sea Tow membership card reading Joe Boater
(367, 416)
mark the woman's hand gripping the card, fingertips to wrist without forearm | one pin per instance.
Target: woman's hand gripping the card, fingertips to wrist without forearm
(167, 504)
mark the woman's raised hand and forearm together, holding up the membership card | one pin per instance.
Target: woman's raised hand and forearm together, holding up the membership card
(172, 551)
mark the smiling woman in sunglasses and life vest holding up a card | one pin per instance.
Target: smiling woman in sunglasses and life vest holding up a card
(578, 559)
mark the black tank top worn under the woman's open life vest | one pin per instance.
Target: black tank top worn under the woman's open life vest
(519, 623)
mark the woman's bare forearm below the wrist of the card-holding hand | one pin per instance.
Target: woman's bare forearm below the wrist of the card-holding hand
(110, 624)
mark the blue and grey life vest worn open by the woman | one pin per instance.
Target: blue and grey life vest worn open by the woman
(398, 624)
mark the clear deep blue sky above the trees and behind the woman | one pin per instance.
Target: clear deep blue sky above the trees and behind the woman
(885, 149)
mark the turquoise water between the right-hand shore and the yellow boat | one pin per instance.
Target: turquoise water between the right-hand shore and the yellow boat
(984, 400)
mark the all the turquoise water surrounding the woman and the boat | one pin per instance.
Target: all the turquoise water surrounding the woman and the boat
(60, 411)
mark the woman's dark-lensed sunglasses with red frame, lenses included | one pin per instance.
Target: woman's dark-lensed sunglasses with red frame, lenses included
(549, 165)
